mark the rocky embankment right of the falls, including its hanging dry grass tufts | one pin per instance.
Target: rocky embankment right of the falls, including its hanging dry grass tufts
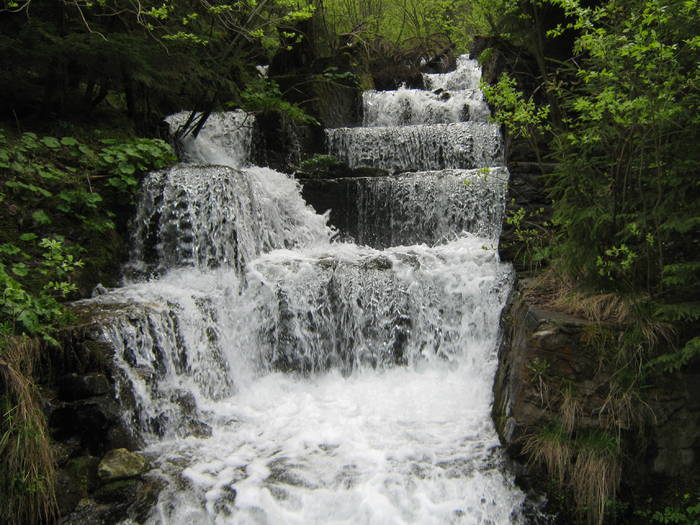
(555, 387)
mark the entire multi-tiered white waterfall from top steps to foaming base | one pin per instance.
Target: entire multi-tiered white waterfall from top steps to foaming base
(276, 377)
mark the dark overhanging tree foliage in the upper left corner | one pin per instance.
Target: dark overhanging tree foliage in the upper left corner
(144, 59)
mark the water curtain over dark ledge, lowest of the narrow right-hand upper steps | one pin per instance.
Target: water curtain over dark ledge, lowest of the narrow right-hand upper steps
(431, 207)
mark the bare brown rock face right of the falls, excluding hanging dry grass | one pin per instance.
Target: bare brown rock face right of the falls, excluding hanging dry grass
(545, 352)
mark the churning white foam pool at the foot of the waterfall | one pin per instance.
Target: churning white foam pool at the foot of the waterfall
(393, 446)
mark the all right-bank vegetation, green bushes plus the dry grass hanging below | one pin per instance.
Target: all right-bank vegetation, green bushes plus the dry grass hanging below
(618, 115)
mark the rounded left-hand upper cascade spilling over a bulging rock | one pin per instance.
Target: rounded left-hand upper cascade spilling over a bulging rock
(216, 210)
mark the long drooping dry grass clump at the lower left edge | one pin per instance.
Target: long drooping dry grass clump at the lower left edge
(27, 467)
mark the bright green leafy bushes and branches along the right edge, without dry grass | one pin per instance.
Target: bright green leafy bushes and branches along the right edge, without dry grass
(627, 188)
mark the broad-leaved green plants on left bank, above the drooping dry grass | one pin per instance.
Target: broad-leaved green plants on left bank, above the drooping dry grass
(56, 195)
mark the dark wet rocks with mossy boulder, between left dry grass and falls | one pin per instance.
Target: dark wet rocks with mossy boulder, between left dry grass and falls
(86, 424)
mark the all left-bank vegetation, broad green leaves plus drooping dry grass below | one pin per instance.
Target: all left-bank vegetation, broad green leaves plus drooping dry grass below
(62, 202)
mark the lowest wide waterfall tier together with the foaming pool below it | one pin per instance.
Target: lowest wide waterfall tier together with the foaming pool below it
(369, 442)
